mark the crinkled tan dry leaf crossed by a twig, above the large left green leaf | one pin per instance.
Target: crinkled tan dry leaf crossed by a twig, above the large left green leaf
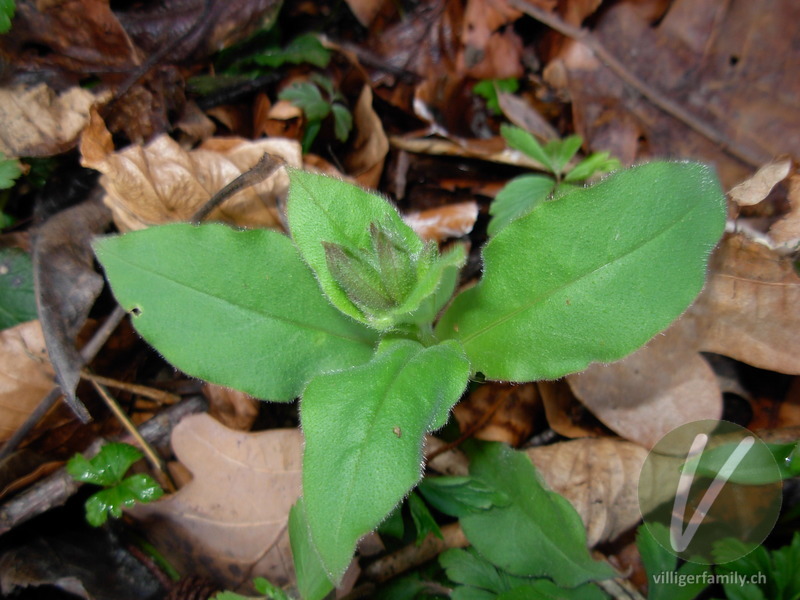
(161, 182)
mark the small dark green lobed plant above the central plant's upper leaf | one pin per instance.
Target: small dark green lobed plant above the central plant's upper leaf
(307, 95)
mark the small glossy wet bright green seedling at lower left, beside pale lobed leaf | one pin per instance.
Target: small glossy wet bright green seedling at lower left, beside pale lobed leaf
(107, 469)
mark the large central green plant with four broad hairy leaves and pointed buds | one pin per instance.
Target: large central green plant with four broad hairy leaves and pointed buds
(344, 314)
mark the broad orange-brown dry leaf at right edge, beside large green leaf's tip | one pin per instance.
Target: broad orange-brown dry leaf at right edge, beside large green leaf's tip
(748, 310)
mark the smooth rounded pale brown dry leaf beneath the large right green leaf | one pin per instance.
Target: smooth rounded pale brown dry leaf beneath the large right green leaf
(667, 378)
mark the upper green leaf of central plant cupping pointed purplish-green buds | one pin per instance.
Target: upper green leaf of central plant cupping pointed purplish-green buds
(367, 279)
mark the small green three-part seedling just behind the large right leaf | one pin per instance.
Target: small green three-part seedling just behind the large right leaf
(522, 194)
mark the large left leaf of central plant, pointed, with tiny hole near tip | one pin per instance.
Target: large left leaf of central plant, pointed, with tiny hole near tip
(238, 308)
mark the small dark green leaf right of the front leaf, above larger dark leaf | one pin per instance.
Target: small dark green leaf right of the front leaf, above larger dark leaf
(458, 496)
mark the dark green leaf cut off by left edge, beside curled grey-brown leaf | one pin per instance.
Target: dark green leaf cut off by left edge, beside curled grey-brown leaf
(17, 298)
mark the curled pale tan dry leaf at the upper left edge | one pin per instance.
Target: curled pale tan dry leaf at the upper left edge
(38, 122)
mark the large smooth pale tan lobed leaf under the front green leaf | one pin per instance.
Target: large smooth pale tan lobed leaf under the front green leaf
(230, 522)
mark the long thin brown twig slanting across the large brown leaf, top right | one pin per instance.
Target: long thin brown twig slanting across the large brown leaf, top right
(667, 105)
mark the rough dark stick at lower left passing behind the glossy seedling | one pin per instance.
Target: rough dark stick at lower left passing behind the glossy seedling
(57, 488)
